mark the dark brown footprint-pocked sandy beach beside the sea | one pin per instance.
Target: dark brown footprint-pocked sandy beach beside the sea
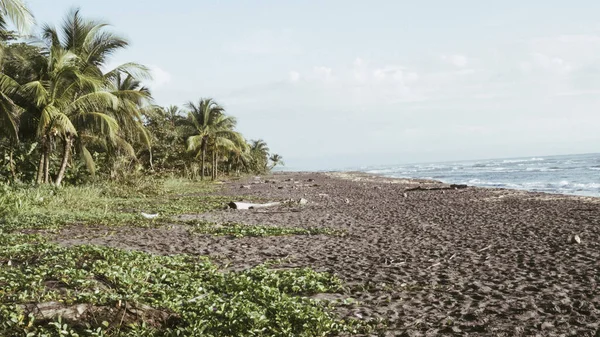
(430, 262)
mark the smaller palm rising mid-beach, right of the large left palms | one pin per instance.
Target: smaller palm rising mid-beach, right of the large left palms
(211, 128)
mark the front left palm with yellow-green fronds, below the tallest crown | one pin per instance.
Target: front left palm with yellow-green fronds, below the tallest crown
(67, 100)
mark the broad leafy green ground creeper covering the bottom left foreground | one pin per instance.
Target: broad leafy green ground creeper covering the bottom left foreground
(102, 291)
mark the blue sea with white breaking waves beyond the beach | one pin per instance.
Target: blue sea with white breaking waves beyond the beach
(571, 174)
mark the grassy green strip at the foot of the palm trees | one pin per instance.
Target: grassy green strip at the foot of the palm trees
(46, 207)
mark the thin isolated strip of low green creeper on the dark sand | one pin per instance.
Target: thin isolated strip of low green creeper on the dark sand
(238, 230)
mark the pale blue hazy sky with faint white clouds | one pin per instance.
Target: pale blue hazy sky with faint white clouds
(343, 84)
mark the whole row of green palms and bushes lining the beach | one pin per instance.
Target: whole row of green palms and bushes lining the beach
(62, 114)
